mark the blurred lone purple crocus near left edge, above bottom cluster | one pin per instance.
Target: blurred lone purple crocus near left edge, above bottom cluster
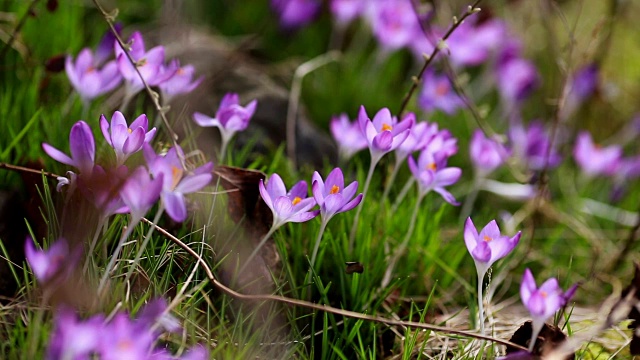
(46, 264)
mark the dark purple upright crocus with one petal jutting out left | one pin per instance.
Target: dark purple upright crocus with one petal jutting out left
(82, 146)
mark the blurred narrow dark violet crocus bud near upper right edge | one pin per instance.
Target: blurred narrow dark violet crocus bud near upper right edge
(580, 87)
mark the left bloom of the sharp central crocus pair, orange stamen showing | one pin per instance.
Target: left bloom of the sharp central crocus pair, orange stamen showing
(292, 206)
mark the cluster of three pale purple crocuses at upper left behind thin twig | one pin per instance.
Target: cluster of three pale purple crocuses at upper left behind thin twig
(91, 77)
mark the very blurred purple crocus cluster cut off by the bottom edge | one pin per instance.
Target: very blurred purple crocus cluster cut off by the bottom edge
(119, 338)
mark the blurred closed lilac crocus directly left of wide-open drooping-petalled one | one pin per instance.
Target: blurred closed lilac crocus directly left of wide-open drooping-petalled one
(140, 192)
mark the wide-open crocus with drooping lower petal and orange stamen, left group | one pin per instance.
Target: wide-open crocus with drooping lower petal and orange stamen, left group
(175, 183)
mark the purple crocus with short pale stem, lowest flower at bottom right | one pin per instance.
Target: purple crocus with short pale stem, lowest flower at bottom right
(542, 302)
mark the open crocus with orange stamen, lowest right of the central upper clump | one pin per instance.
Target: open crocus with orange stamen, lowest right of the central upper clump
(432, 173)
